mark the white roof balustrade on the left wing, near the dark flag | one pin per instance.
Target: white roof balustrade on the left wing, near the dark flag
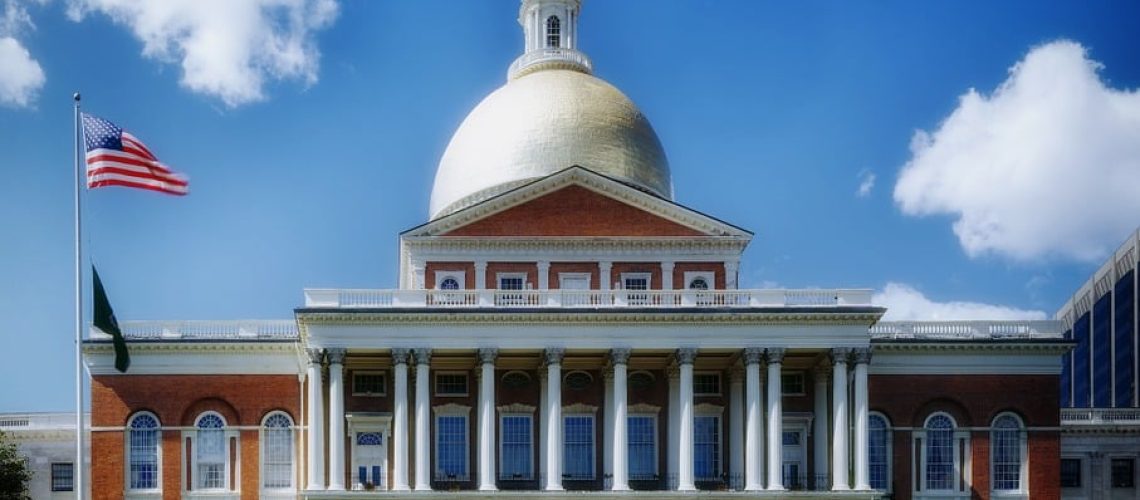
(239, 330)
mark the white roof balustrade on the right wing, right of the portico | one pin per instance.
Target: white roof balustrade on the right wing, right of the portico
(966, 330)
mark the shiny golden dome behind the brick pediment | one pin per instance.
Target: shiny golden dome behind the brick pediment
(543, 122)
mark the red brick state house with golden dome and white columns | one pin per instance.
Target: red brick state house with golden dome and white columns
(564, 329)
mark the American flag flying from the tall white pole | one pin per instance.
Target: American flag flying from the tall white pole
(115, 158)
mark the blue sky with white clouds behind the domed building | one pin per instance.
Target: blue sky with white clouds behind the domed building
(312, 134)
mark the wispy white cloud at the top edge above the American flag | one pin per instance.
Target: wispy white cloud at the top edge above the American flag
(227, 50)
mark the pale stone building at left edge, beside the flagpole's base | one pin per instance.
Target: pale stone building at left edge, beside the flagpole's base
(47, 441)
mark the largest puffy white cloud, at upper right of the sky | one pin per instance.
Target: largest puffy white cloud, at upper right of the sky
(1047, 166)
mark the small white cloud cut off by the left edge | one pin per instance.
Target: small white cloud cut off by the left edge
(21, 78)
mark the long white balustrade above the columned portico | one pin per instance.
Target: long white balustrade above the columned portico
(398, 299)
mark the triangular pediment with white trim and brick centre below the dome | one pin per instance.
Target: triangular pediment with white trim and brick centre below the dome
(577, 203)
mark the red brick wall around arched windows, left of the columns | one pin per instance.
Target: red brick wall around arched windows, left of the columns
(243, 400)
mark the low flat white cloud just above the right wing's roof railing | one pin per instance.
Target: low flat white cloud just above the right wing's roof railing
(906, 304)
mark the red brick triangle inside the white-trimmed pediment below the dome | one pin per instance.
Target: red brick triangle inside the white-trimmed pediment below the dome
(574, 211)
